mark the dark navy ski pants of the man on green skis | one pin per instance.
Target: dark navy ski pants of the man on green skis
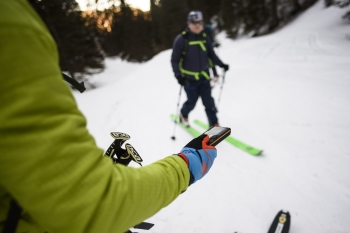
(194, 90)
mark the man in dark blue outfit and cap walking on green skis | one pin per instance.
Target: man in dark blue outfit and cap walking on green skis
(190, 62)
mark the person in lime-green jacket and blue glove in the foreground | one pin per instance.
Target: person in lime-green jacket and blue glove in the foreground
(50, 164)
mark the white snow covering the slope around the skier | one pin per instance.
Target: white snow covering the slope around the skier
(287, 93)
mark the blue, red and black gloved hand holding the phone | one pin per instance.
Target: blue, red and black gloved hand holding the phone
(199, 157)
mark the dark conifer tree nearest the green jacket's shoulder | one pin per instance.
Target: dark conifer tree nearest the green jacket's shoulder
(78, 46)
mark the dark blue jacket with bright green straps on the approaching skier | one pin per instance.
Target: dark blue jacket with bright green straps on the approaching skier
(191, 54)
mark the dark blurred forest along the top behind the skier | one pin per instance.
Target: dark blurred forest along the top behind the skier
(85, 38)
